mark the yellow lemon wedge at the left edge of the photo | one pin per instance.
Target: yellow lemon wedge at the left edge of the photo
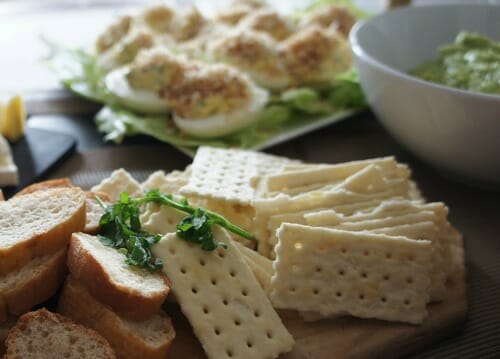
(12, 119)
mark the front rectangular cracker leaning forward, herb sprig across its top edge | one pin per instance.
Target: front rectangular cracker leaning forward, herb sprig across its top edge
(227, 308)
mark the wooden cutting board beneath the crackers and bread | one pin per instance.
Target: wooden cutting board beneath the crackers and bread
(357, 338)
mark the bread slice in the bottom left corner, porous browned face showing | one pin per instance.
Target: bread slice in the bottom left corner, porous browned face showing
(43, 334)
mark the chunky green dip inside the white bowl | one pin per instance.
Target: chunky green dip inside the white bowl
(472, 63)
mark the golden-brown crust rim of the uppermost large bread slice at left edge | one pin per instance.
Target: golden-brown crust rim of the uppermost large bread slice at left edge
(15, 256)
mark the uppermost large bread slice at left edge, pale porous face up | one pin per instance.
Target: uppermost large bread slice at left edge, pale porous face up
(38, 223)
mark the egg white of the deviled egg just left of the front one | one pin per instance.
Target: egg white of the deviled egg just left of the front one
(141, 100)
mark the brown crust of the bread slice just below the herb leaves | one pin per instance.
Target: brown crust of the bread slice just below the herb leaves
(91, 273)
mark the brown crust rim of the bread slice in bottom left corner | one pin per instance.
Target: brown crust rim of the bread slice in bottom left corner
(43, 315)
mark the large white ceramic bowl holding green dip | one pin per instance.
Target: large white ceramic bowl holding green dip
(454, 130)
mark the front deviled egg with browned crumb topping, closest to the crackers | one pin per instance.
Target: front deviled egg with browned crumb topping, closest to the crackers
(215, 100)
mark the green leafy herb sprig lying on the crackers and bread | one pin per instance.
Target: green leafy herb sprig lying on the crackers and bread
(121, 227)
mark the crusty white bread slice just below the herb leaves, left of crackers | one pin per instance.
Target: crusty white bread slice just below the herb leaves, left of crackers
(129, 290)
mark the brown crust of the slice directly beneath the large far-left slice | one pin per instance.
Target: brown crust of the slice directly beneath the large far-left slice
(36, 289)
